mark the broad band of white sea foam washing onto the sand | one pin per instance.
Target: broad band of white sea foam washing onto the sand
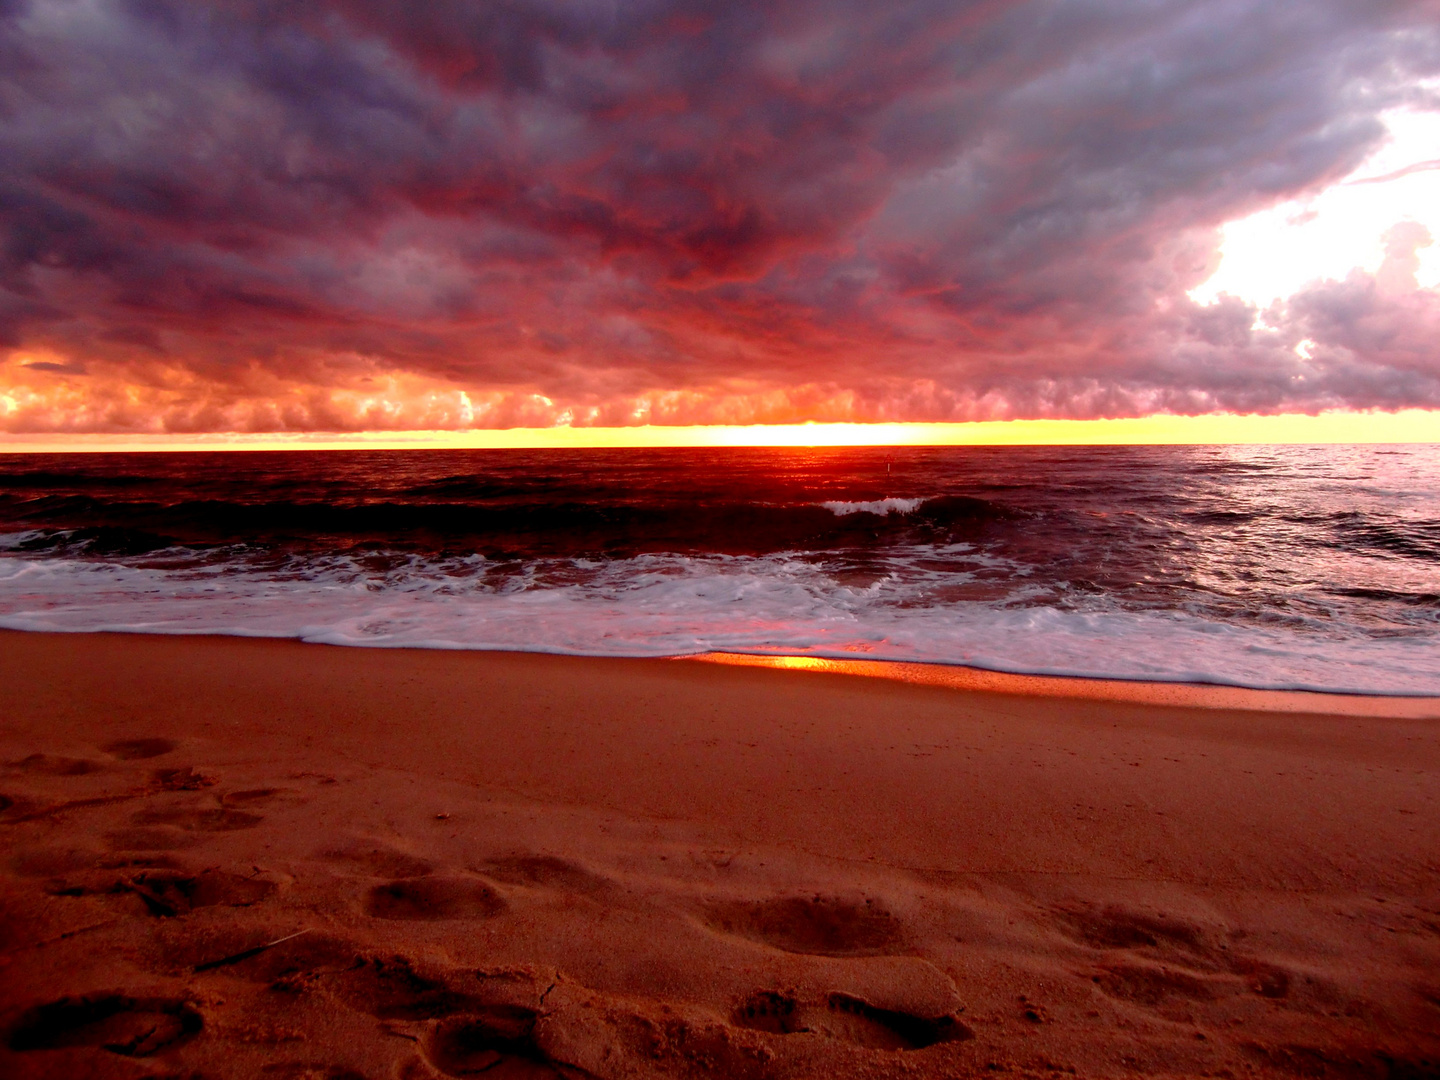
(675, 606)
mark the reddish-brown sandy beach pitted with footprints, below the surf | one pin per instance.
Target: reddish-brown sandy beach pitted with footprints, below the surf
(510, 865)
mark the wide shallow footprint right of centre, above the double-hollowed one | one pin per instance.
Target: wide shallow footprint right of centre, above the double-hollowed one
(819, 927)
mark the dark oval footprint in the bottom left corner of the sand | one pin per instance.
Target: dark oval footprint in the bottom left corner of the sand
(133, 1027)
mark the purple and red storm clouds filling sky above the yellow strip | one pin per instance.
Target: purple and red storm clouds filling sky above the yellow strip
(382, 217)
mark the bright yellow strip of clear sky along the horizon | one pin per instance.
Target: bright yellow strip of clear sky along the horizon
(1412, 426)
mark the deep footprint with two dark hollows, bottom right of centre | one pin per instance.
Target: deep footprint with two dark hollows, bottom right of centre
(849, 1019)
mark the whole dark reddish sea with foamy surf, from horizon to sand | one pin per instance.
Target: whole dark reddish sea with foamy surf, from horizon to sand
(1262, 567)
